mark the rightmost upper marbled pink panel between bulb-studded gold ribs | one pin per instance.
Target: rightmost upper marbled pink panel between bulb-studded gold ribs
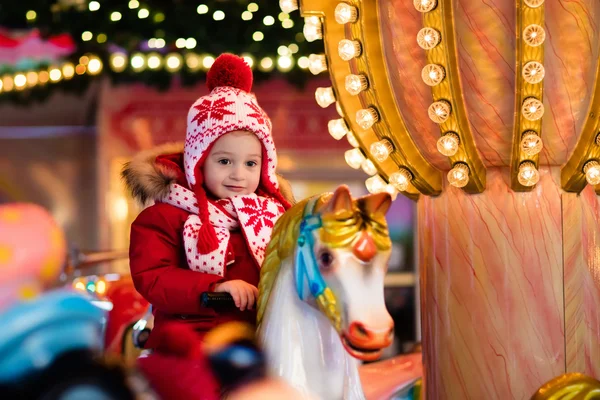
(571, 57)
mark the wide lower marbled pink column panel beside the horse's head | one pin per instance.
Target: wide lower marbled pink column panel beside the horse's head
(492, 289)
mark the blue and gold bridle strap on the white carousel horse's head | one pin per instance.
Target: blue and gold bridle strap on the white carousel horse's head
(307, 268)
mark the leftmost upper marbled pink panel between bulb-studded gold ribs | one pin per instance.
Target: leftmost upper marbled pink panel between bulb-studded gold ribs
(399, 23)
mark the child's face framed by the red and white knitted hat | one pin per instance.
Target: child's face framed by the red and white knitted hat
(233, 165)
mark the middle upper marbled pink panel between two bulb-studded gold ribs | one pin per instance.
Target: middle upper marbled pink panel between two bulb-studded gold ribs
(485, 41)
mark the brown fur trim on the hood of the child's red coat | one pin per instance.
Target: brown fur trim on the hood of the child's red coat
(148, 180)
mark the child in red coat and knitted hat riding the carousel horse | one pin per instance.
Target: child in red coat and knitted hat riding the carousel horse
(215, 206)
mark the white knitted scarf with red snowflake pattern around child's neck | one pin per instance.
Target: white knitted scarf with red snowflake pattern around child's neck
(255, 215)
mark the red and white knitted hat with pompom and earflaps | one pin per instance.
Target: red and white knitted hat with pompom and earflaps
(229, 107)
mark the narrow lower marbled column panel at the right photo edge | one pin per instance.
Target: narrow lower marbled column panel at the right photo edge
(582, 281)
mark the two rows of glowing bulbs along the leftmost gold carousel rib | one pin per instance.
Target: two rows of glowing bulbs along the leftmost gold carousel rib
(354, 84)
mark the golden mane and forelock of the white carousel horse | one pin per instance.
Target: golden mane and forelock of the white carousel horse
(340, 229)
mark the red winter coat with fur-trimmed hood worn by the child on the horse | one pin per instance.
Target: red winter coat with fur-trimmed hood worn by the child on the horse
(157, 260)
